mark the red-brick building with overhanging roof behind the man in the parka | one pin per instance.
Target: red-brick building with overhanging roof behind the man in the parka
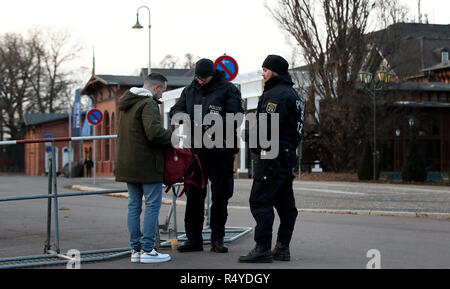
(105, 91)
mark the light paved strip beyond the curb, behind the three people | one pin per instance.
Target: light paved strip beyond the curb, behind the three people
(336, 196)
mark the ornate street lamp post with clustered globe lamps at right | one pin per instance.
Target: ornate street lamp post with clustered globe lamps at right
(374, 85)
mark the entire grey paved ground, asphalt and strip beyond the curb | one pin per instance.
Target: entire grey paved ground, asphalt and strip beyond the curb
(320, 240)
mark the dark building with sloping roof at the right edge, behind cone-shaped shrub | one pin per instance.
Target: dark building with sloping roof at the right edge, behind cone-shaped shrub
(419, 98)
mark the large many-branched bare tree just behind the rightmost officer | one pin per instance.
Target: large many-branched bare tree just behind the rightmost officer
(333, 36)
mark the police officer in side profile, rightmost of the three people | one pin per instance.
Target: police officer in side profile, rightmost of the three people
(273, 178)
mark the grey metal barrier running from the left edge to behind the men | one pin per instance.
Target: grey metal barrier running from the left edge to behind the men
(53, 256)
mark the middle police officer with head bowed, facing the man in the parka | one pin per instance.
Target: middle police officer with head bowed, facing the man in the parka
(216, 95)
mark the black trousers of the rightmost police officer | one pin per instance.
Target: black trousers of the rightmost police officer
(277, 192)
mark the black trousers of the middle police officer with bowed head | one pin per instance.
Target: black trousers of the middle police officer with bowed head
(218, 168)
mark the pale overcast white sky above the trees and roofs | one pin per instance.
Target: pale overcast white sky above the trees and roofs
(243, 29)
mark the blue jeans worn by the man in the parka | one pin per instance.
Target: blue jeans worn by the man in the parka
(153, 195)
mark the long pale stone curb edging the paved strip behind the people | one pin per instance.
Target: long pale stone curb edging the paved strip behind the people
(167, 201)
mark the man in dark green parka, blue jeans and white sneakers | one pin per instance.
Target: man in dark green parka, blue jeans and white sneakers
(140, 163)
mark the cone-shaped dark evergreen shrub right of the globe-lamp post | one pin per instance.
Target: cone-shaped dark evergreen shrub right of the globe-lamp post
(414, 167)
